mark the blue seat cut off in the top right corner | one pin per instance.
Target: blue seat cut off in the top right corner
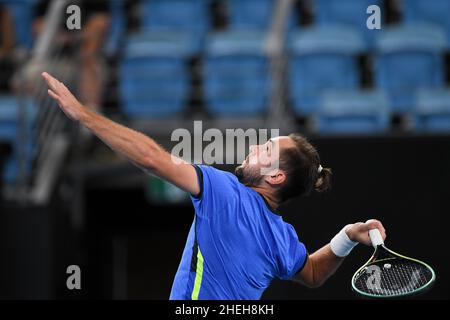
(424, 11)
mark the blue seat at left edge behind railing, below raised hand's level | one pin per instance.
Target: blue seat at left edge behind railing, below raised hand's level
(9, 126)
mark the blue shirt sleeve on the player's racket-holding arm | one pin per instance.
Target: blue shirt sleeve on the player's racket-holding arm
(292, 256)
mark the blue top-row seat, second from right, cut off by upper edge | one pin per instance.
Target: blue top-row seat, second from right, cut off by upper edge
(350, 13)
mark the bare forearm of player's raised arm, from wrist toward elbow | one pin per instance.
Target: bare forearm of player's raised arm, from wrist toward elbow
(134, 145)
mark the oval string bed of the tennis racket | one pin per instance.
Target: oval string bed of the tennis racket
(393, 277)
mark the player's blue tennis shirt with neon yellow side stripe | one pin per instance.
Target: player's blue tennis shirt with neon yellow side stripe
(236, 244)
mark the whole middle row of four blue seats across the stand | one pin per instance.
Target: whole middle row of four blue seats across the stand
(236, 69)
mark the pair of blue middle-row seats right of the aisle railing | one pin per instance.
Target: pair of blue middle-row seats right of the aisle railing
(405, 59)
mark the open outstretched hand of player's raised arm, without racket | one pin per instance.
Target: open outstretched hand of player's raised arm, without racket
(65, 99)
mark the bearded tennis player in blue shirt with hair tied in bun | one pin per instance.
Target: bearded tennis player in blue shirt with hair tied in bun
(238, 242)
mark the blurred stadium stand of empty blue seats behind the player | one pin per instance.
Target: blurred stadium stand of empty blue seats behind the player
(178, 52)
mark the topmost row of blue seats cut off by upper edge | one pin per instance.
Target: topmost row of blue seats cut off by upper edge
(192, 18)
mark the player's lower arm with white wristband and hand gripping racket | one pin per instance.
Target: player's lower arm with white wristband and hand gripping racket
(324, 262)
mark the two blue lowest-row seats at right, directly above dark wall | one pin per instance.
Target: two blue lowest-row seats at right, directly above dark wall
(368, 111)
